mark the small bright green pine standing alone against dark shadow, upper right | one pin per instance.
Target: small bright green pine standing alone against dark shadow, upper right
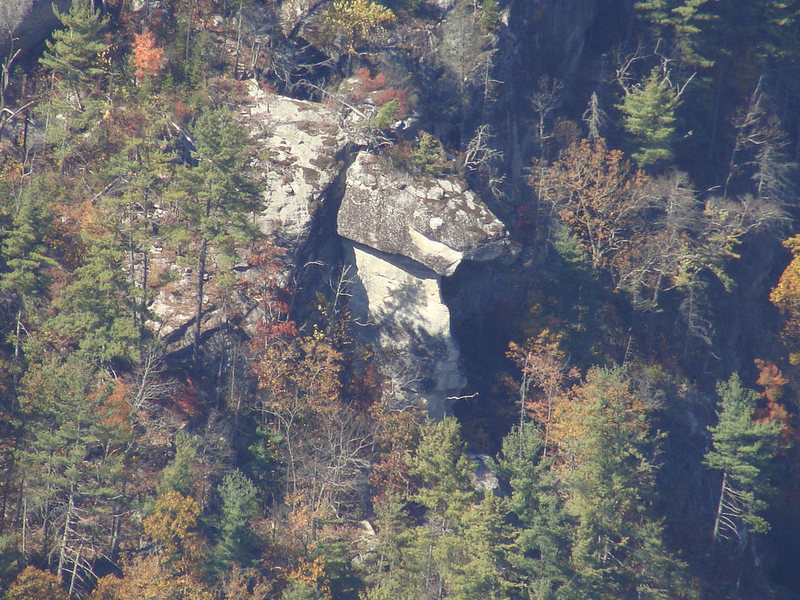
(649, 120)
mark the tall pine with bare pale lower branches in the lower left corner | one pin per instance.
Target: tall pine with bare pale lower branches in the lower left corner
(74, 462)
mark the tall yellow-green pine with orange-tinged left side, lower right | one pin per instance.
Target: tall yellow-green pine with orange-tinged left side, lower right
(617, 548)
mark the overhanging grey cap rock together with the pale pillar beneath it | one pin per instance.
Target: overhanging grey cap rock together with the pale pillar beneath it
(402, 235)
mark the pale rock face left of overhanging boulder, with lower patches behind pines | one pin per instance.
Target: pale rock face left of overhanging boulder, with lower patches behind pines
(301, 147)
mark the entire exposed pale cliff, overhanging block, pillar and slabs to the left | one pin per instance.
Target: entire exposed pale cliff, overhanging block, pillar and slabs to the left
(400, 234)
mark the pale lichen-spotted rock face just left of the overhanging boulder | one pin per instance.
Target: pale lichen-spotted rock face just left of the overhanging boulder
(304, 147)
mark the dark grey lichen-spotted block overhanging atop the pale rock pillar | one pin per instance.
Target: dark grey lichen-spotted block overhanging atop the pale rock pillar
(435, 221)
